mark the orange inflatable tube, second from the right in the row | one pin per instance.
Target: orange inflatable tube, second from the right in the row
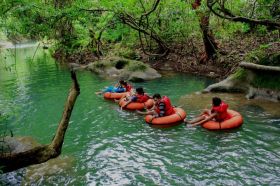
(179, 116)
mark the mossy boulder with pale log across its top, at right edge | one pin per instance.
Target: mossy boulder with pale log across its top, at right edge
(256, 81)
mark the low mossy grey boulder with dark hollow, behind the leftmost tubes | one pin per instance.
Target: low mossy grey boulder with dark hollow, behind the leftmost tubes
(122, 68)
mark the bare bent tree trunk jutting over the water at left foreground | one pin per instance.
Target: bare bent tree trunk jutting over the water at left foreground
(42, 153)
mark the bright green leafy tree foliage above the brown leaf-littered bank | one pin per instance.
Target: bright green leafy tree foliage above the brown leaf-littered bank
(154, 25)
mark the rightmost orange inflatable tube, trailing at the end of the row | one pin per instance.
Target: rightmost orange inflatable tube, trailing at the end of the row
(236, 120)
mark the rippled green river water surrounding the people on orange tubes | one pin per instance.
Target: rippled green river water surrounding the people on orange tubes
(106, 146)
